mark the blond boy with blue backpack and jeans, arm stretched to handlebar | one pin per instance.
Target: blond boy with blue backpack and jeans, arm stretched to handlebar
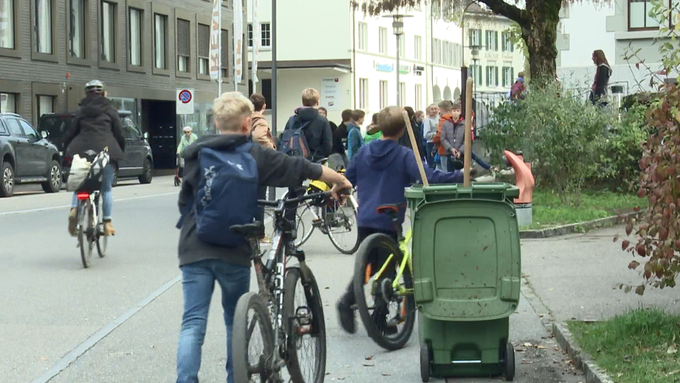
(222, 177)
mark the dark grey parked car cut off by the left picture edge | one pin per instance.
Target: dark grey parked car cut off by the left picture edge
(26, 157)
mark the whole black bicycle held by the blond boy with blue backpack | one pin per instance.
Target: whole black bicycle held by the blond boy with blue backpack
(283, 323)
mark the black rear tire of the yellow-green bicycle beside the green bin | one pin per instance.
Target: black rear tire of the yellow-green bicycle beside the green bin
(398, 340)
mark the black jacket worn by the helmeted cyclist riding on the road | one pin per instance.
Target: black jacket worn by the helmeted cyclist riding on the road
(95, 126)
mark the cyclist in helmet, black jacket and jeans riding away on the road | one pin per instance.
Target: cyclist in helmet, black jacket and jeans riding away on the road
(96, 126)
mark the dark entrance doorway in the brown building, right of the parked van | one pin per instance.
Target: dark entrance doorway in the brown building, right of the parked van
(160, 118)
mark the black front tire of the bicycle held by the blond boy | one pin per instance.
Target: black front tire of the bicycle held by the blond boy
(317, 328)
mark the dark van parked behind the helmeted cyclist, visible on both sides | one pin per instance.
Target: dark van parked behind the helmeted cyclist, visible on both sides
(138, 161)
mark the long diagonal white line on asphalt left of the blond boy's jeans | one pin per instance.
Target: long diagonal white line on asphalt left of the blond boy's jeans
(90, 342)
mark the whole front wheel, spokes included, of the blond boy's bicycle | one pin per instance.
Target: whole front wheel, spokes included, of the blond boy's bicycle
(307, 331)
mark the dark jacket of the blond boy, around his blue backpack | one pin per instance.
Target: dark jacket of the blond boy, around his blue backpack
(274, 169)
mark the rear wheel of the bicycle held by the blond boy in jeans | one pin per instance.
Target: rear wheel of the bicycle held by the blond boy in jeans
(251, 312)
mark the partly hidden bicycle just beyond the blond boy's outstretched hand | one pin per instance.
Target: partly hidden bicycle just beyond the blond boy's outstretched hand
(333, 218)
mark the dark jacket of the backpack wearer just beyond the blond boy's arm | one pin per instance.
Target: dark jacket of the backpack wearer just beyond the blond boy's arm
(318, 132)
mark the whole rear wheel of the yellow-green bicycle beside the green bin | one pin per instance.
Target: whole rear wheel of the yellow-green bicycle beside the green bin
(390, 318)
